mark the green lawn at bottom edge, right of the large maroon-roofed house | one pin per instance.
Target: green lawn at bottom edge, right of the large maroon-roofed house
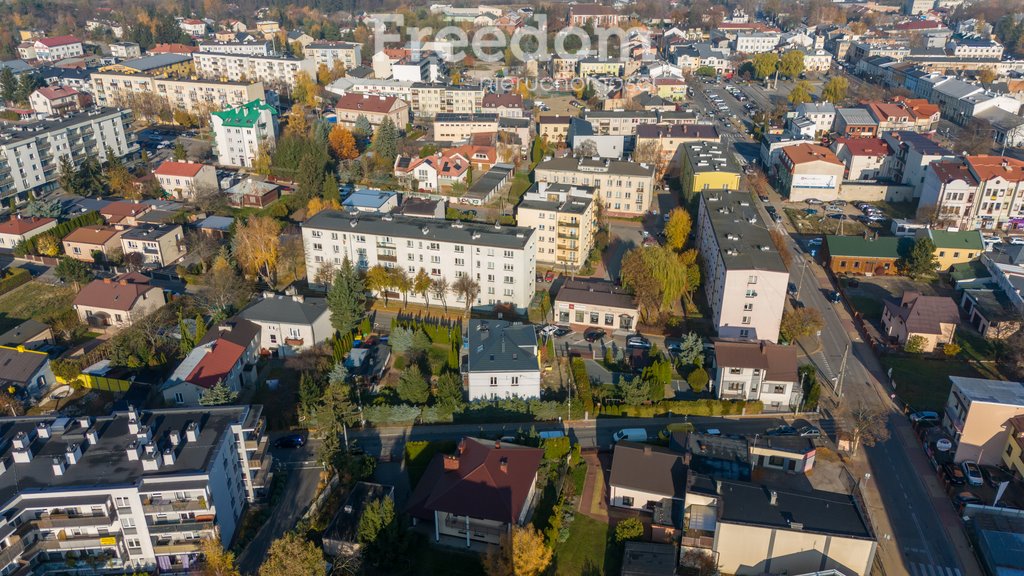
(590, 550)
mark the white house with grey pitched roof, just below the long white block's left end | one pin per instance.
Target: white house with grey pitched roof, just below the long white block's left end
(290, 323)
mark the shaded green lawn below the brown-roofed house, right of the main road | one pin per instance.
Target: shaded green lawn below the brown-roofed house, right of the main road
(923, 383)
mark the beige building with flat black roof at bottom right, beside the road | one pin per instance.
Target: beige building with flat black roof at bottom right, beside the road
(752, 529)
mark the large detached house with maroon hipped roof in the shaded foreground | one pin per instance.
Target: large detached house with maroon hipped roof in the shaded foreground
(479, 493)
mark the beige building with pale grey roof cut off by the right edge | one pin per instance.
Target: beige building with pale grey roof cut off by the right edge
(976, 417)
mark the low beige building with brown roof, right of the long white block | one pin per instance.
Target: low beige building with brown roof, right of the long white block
(596, 304)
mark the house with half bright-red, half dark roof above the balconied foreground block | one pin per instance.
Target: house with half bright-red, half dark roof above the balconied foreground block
(227, 356)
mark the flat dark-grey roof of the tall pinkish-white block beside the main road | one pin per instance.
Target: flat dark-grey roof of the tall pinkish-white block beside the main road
(742, 236)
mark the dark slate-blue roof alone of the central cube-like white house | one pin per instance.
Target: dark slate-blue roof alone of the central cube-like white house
(496, 346)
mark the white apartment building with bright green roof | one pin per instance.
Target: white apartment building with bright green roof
(240, 132)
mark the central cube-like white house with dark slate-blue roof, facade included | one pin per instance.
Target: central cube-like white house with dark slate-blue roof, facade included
(502, 361)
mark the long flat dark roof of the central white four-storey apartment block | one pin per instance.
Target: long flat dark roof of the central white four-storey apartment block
(411, 227)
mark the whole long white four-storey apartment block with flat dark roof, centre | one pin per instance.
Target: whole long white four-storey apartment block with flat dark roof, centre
(501, 260)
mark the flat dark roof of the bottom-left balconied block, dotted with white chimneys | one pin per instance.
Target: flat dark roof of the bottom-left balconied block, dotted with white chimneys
(107, 464)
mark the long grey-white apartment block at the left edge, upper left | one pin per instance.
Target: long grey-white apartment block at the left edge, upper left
(31, 154)
